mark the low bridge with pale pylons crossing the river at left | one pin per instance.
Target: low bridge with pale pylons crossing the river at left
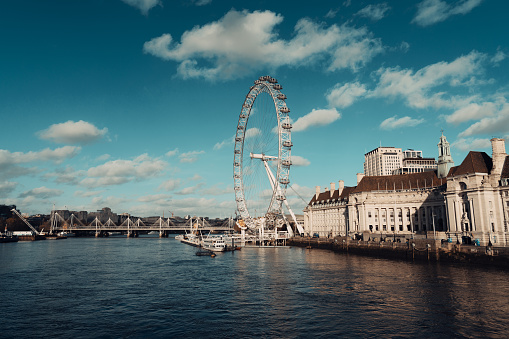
(163, 226)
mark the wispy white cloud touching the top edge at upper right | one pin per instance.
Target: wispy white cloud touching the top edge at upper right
(430, 12)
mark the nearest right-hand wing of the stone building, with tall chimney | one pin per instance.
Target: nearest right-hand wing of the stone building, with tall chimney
(477, 196)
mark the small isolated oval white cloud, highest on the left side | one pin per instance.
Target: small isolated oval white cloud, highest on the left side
(70, 132)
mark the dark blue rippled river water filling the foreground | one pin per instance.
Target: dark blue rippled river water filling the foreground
(158, 288)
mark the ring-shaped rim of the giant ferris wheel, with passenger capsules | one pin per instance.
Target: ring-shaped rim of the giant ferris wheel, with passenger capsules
(270, 86)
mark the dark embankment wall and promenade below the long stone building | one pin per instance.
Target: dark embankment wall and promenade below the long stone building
(414, 249)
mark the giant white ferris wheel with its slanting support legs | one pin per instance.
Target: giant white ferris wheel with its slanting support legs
(262, 157)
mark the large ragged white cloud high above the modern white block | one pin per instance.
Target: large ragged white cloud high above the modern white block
(417, 87)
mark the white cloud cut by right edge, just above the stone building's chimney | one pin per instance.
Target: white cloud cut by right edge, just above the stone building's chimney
(496, 124)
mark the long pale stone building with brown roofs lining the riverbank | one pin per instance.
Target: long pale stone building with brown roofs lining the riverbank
(470, 204)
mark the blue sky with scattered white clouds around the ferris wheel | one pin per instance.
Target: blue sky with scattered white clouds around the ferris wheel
(133, 104)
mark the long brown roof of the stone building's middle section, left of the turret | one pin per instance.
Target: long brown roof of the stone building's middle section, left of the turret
(426, 179)
